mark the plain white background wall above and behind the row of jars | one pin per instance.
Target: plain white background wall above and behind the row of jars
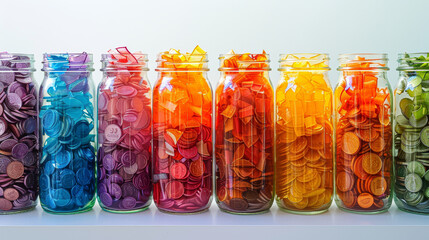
(329, 26)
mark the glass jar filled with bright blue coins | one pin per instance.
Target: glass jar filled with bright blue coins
(67, 134)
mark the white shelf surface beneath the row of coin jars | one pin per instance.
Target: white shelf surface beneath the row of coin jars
(214, 224)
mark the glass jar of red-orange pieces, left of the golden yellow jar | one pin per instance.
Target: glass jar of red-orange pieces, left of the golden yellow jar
(244, 134)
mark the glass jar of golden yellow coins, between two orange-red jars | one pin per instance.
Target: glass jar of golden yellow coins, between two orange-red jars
(304, 134)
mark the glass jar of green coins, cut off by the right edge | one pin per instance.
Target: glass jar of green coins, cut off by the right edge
(412, 133)
